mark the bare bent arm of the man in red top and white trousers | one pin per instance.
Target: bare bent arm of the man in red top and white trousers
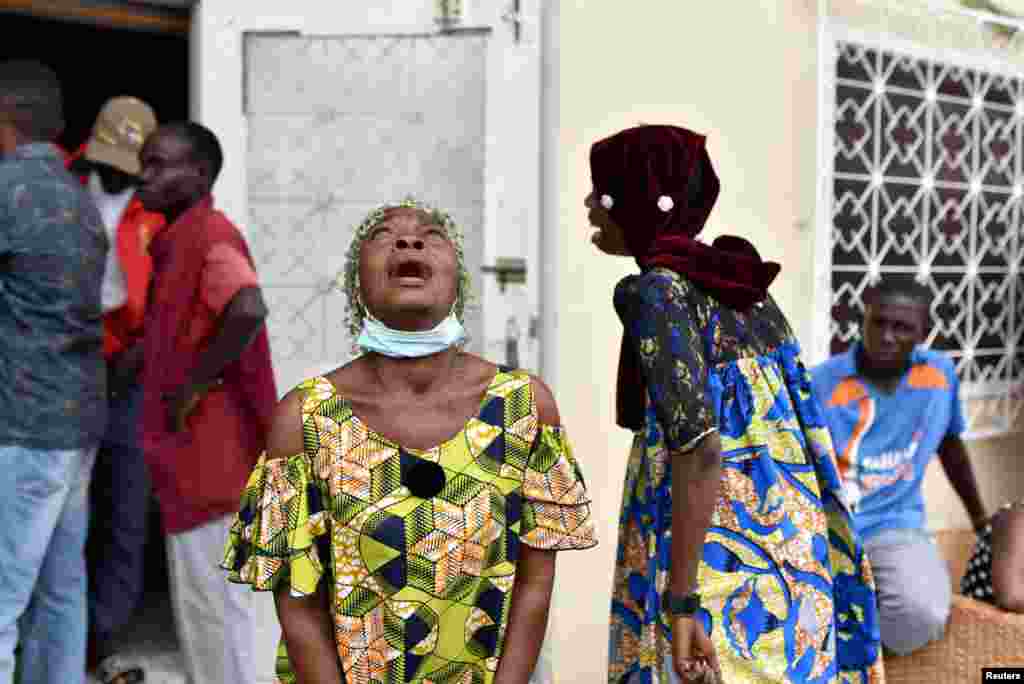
(239, 324)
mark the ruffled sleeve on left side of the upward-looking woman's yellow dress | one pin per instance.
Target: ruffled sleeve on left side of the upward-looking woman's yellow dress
(281, 532)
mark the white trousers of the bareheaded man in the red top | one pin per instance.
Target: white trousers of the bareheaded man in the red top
(214, 617)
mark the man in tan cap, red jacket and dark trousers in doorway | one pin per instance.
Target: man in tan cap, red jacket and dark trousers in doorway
(109, 166)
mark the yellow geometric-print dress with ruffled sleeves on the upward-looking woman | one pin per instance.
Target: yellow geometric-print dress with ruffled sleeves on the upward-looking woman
(420, 588)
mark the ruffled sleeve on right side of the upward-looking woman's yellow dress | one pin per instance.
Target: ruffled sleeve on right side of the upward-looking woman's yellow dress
(556, 505)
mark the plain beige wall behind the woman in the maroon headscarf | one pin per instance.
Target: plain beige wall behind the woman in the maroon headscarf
(748, 79)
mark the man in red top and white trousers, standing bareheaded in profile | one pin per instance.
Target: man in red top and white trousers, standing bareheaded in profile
(210, 395)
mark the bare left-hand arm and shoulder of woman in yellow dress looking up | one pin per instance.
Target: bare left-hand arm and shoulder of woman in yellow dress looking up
(306, 622)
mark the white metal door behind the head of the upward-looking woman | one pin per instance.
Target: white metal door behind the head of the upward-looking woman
(339, 122)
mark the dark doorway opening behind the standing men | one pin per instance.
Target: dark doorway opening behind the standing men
(99, 57)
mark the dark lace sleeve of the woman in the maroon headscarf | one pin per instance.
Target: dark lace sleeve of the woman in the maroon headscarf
(665, 330)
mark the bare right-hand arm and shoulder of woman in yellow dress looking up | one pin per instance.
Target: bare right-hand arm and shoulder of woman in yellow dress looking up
(534, 585)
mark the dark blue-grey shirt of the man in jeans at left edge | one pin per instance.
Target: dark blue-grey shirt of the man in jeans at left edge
(53, 254)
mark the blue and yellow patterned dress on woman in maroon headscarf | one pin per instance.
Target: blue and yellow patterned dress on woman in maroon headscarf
(787, 591)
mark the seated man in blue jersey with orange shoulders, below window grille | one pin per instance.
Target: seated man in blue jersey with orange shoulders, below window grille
(893, 407)
